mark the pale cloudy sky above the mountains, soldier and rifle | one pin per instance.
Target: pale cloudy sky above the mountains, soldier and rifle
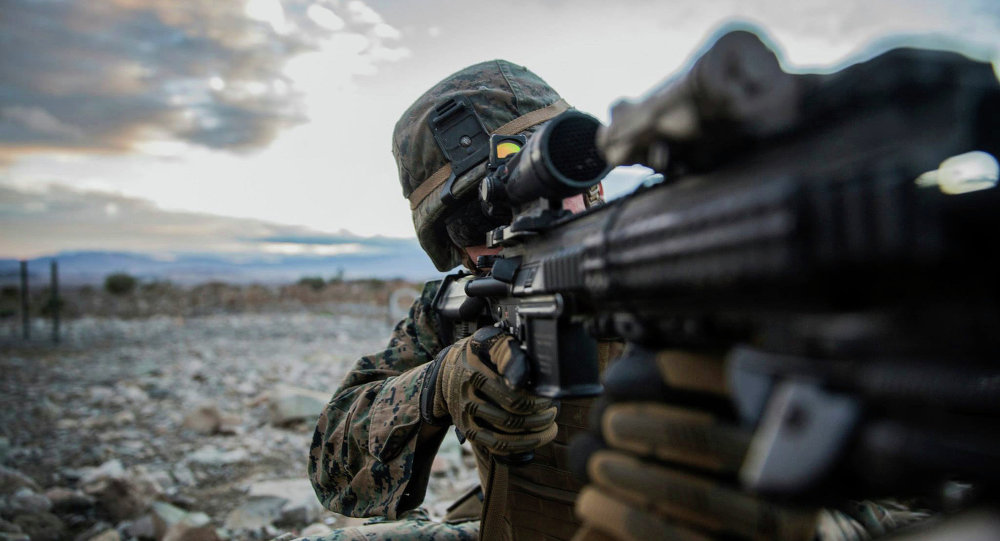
(169, 125)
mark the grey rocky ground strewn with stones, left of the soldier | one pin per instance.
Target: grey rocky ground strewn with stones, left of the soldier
(173, 428)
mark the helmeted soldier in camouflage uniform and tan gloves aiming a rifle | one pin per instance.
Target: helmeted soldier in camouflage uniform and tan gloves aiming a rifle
(375, 441)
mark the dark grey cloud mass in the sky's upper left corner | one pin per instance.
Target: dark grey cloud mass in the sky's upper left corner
(104, 74)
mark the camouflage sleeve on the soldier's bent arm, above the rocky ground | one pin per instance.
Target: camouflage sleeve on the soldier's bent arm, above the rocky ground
(364, 460)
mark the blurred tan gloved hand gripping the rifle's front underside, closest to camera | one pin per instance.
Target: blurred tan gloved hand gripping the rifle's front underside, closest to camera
(663, 460)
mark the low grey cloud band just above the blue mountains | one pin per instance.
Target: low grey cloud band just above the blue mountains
(59, 218)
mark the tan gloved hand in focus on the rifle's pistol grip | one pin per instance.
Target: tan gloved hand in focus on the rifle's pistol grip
(479, 385)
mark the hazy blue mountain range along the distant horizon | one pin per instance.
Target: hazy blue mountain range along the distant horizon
(392, 258)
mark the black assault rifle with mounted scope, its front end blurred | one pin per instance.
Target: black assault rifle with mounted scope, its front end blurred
(835, 234)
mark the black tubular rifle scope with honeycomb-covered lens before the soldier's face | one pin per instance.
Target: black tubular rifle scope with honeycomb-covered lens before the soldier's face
(560, 160)
